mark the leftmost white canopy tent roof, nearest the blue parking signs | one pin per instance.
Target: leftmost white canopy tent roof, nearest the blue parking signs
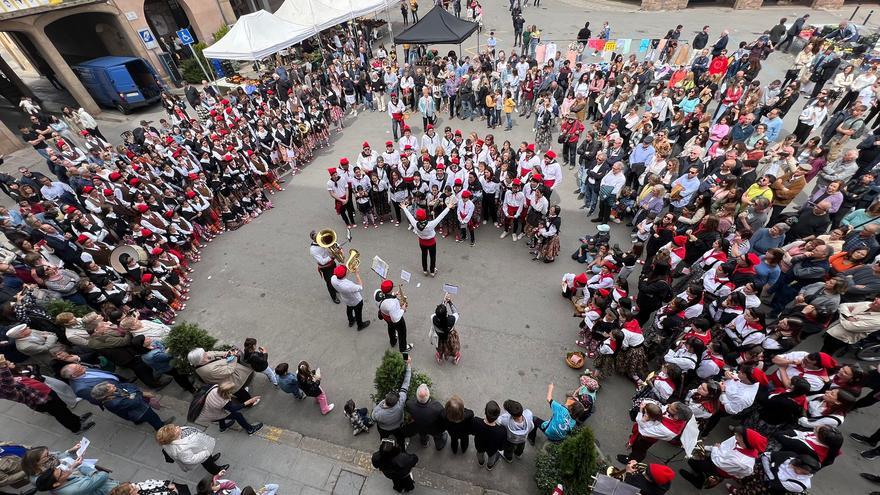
(255, 36)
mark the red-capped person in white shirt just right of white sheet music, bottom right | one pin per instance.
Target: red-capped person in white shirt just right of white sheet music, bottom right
(732, 458)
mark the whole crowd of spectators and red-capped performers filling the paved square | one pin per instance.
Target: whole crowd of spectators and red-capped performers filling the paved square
(684, 145)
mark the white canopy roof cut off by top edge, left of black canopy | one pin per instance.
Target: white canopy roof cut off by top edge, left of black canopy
(324, 14)
